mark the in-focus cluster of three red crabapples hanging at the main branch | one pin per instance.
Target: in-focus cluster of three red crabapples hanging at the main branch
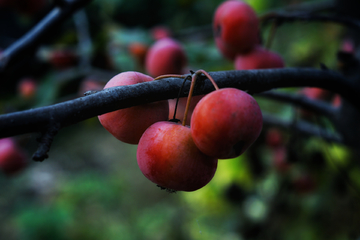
(181, 157)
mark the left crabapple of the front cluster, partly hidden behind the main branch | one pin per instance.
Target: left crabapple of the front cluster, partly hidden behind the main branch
(129, 124)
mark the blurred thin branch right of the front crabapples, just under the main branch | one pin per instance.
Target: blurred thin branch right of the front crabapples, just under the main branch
(318, 106)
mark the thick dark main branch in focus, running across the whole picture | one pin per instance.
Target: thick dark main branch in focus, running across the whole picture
(254, 81)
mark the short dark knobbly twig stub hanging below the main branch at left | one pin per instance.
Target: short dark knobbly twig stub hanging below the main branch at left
(45, 142)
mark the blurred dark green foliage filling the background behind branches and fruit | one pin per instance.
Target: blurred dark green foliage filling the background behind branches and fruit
(91, 188)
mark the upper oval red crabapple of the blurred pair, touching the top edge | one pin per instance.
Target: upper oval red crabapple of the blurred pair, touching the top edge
(235, 27)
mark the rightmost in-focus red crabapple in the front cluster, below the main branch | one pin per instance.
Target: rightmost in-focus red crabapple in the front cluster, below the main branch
(225, 123)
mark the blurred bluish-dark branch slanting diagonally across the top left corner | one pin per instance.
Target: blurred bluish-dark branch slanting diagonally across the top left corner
(30, 41)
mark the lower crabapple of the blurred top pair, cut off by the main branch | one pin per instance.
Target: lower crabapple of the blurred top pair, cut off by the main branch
(258, 58)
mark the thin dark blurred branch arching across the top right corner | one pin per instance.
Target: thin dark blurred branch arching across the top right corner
(304, 16)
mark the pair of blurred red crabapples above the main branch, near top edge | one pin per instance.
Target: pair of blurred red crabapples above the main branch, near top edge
(237, 36)
